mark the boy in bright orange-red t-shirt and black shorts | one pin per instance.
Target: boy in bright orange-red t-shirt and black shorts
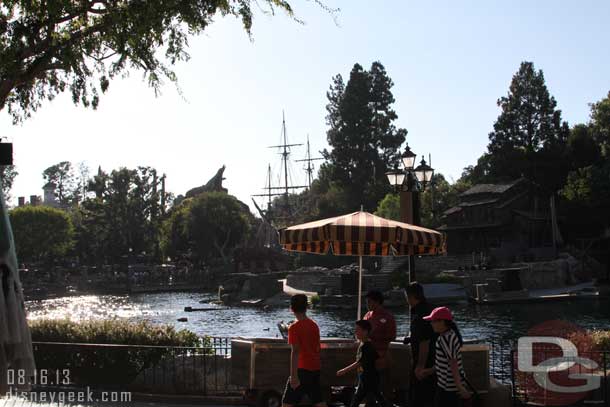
(304, 340)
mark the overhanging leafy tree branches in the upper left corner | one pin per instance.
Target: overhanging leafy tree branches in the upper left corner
(56, 45)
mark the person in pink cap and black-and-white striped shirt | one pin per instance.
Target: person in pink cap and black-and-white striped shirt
(451, 383)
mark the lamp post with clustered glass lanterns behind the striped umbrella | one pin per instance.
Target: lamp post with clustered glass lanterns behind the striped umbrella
(410, 182)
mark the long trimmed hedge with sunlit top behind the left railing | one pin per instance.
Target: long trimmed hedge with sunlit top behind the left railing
(93, 365)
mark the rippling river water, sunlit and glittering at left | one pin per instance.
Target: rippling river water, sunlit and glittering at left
(486, 322)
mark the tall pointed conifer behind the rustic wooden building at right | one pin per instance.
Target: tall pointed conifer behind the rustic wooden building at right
(529, 136)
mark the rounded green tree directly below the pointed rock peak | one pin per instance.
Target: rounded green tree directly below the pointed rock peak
(209, 225)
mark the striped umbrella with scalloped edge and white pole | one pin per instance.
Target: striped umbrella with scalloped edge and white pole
(361, 234)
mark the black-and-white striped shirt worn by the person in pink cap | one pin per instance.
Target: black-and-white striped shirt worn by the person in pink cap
(447, 348)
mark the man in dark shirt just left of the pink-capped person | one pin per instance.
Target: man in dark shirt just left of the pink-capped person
(422, 337)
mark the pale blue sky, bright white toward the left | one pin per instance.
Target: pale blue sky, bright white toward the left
(450, 61)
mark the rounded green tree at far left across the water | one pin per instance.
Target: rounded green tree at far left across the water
(41, 233)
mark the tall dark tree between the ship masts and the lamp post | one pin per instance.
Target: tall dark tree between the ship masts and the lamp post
(362, 135)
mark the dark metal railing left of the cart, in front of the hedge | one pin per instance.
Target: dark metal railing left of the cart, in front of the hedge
(203, 370)
